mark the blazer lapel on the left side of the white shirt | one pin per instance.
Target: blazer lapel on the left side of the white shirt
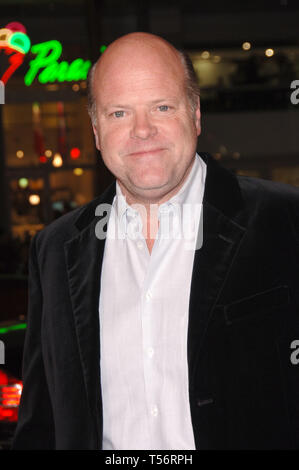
(84, 255)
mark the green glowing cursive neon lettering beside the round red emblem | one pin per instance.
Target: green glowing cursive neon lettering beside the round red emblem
(47, 69)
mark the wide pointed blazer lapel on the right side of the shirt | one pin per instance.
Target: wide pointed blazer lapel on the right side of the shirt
(212, 262)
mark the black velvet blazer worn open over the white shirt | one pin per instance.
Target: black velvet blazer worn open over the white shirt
(243, 319)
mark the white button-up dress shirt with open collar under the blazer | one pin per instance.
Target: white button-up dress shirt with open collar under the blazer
(143, 310)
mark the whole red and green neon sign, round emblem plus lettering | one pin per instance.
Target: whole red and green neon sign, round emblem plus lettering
(45, 66)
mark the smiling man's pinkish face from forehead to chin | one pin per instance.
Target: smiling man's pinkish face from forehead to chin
(145, 129)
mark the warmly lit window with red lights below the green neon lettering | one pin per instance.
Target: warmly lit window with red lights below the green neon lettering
(36, 132)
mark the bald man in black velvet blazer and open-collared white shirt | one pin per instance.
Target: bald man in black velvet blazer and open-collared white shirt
(142, 335)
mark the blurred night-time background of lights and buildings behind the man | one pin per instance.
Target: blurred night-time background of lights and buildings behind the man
(246, 56)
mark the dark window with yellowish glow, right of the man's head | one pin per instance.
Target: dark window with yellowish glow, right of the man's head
(246, 78)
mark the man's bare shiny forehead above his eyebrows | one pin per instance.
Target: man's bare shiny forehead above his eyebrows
(140, 73)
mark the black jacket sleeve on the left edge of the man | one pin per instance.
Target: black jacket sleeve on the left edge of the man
(35, 428)
